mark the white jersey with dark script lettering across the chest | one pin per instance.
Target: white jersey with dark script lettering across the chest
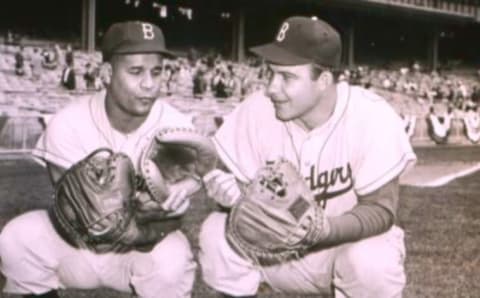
(361, 147)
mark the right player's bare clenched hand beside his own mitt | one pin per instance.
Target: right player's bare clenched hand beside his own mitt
(222, 187)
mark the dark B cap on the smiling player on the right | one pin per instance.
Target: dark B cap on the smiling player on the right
(303, 40)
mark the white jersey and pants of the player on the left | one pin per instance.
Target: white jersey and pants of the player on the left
(35, 259)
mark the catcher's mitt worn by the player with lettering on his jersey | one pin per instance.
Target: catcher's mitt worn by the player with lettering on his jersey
(277, 219)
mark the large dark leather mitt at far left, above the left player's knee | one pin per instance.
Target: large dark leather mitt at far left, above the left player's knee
(93, 205)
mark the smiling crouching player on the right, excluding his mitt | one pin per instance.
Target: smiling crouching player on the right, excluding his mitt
(349, 145)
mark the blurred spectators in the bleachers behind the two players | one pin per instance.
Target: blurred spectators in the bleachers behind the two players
(59, 69)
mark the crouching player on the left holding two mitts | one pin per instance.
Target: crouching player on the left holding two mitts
(124, 165)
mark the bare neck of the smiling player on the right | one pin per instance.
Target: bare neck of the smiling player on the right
(319, 114)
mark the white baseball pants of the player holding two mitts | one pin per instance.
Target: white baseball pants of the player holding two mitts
(35, 260)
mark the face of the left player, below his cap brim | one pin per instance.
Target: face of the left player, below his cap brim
(134, 84)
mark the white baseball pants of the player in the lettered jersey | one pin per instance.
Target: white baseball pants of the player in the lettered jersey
(372, 267)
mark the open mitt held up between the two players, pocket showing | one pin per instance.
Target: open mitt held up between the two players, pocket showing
(174, 158)
